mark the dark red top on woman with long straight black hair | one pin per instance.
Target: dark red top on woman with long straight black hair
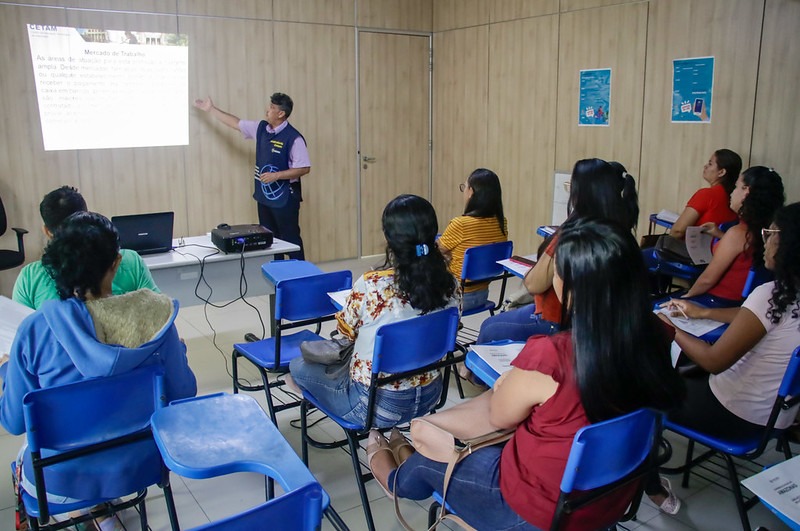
(534, 460)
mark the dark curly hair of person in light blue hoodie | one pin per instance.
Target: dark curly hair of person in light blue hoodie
(82, 250)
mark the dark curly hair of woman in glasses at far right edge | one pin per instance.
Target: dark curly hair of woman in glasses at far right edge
(786, 292)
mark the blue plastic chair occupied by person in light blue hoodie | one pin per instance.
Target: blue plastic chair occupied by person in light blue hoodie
(77, 432)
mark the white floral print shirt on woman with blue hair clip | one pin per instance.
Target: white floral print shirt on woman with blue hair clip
(376, 301)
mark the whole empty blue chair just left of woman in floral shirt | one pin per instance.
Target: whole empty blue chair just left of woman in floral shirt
(299, 302)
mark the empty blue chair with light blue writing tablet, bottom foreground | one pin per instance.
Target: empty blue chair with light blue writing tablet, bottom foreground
(196, 441)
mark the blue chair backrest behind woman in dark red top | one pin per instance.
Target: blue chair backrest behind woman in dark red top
(610, 450)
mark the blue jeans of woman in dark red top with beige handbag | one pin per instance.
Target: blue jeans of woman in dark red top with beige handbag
(474, 489)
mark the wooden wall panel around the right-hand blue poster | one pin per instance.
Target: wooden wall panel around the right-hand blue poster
(673, 154)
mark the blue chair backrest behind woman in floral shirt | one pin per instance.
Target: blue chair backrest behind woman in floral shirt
(416, 342)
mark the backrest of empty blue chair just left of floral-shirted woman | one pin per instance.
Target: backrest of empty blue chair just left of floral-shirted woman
(307, 297)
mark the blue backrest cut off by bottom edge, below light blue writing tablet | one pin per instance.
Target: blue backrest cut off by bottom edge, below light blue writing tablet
(297, 510)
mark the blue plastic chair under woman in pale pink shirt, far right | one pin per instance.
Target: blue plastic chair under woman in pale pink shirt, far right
(747, 446)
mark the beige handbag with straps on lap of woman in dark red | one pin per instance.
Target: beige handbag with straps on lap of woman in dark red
(438, 444)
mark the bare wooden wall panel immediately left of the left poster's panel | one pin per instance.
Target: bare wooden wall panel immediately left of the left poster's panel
(523, 65)
